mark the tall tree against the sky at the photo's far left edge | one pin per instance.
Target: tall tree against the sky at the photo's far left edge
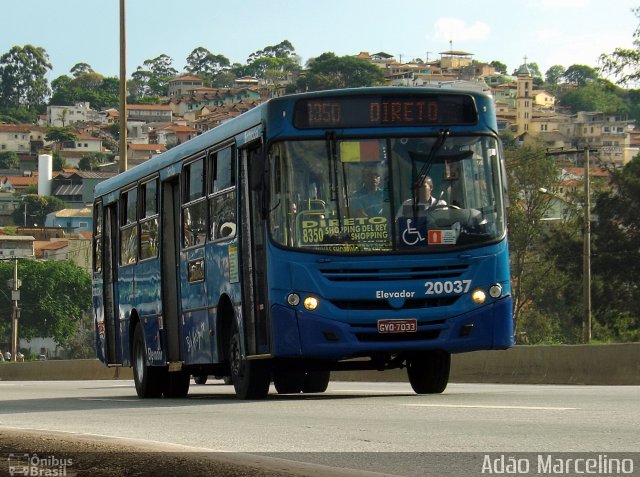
(23, 79)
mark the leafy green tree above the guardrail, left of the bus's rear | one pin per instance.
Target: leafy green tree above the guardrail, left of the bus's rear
(53, 298)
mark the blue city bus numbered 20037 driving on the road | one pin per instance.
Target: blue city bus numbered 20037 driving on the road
(295, 240)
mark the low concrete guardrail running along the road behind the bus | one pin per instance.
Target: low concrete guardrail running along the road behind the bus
(617, 364)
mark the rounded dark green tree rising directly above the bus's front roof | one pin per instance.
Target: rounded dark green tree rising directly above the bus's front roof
(329, 71)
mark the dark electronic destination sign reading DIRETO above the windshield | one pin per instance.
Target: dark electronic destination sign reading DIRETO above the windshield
(384, 111)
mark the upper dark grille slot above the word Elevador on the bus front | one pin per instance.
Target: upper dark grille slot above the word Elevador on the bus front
(392, 274)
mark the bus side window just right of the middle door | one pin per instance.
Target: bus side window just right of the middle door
(194, 214)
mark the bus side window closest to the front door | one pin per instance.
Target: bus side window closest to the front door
(222, 202)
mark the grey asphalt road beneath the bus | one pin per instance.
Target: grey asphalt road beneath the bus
(352, 429)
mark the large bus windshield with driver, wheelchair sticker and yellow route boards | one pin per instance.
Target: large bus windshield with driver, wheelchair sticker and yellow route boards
(420, 194)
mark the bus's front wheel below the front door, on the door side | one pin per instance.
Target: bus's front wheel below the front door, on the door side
(251, 378)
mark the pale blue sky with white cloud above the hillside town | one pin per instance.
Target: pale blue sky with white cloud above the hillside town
(547, 32)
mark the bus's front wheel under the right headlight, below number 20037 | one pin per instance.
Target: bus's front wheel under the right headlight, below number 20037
(429, 371)
